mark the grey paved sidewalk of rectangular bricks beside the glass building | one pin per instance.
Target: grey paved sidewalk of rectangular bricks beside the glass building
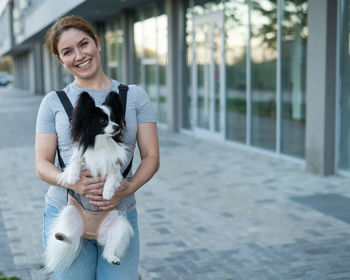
(211, 212)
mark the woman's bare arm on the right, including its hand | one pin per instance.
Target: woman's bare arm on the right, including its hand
(147, 140)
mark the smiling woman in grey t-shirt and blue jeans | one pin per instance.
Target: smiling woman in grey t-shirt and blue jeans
(74, 43)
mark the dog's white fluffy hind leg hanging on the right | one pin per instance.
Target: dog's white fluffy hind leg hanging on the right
(115, 234)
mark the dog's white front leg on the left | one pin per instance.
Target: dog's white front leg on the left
(72, 172)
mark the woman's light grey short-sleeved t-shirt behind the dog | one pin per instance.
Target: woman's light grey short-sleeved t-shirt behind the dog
(52, 118)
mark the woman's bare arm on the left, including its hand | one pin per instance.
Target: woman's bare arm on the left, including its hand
(45, 151)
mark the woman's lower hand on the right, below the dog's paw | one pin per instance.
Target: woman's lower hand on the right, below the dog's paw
(121, 192)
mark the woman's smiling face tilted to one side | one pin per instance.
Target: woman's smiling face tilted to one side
(79, 53)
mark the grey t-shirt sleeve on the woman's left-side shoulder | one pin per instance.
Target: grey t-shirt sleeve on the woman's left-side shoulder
(45, 122)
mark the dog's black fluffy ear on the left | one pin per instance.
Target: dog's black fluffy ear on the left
(81, 115)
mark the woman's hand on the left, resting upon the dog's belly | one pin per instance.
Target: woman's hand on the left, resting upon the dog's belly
(87, 184)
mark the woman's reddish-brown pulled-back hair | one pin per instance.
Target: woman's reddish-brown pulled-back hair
(61, 25)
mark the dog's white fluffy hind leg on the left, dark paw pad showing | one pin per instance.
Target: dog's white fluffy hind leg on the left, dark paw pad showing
(68, 227)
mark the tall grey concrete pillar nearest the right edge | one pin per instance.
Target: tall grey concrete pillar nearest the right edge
(321, 86)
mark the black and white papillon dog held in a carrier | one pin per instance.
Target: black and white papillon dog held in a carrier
(96, 132)
